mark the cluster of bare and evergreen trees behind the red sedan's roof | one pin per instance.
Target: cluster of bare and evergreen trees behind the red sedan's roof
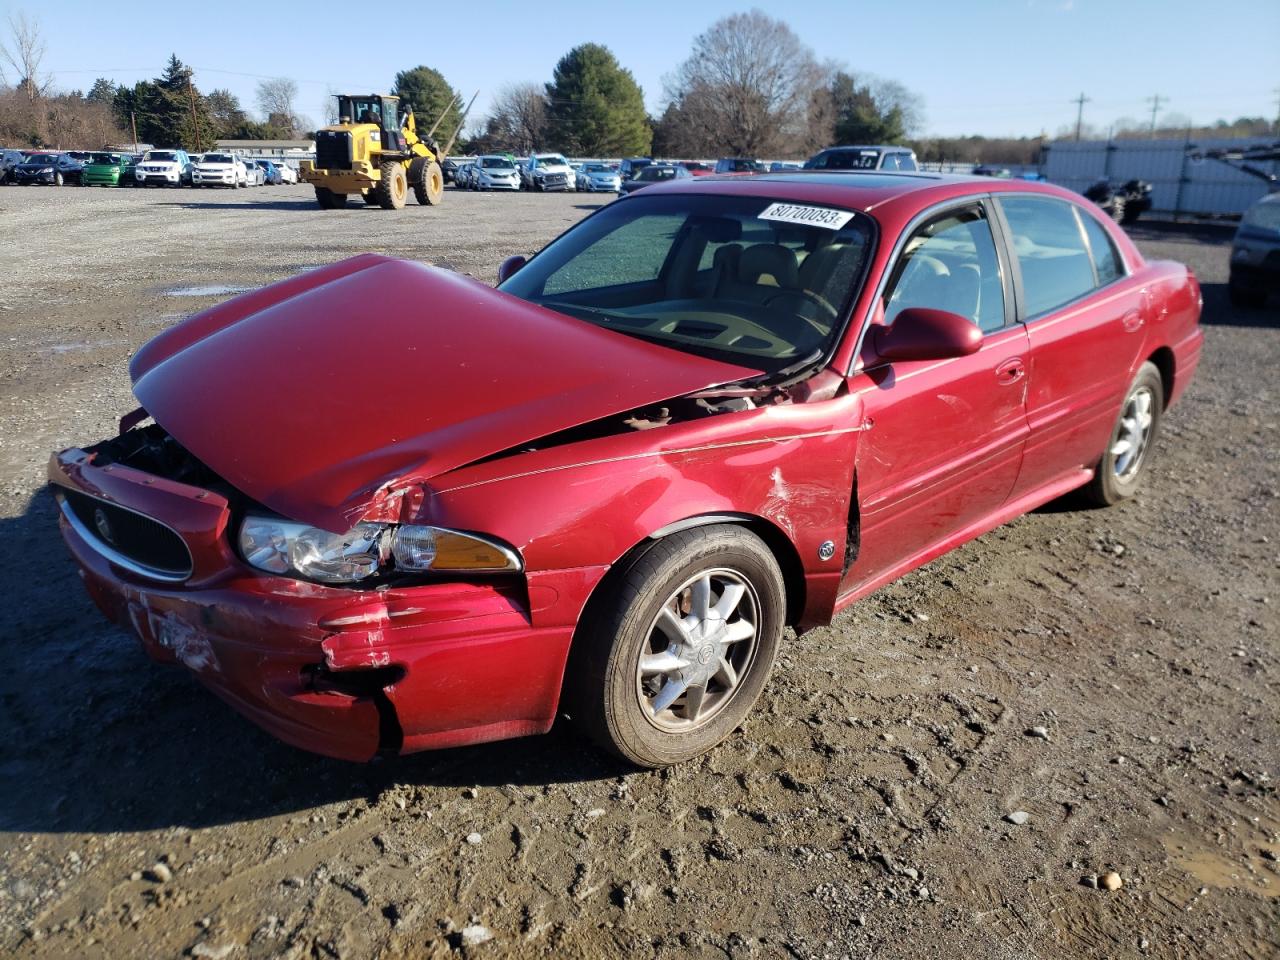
(749, 88)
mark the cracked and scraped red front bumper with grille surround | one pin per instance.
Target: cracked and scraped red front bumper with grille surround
(342, 673)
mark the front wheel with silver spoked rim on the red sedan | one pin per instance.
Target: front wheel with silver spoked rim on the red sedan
(675, 656)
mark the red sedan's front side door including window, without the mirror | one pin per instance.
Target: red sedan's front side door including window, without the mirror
(943, 440)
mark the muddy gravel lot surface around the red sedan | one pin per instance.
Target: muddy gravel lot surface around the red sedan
(862, 810)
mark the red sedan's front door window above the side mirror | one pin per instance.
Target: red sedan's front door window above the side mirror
(950, 264)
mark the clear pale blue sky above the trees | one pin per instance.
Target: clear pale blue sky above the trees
(995, 67)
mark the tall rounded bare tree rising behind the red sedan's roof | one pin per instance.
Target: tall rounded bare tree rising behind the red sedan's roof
(747, 88)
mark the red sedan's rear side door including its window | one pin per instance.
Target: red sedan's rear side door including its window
(1086, 319)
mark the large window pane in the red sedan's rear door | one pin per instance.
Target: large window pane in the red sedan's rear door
(1050, 249)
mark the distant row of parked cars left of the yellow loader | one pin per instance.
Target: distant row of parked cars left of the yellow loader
(163, 168)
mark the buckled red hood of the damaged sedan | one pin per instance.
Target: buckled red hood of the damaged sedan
(322, 395)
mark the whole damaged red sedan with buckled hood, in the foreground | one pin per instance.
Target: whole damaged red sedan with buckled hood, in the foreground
(382, 508)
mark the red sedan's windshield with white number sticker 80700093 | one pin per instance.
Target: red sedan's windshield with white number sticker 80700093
(743, 280)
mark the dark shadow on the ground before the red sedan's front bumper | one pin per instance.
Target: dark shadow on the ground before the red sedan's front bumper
(100, 739)
